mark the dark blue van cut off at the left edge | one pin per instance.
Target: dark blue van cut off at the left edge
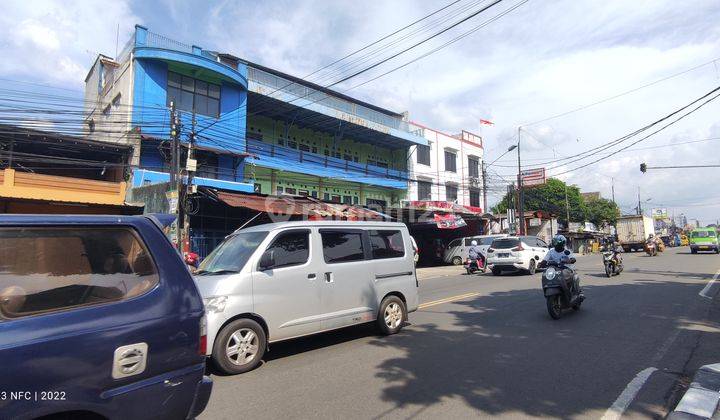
(99, 318)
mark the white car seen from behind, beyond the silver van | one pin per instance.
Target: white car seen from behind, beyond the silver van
(516, 253)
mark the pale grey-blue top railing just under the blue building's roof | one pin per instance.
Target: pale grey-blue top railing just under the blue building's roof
(299, 91)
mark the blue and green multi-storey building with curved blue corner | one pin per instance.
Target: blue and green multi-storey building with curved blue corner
(250, 129)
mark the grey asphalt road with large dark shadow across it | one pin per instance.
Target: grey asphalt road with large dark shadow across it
(485, 346)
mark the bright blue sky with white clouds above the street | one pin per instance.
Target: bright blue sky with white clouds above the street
(545, 58)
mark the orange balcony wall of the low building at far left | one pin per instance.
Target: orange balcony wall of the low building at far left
(34, 186)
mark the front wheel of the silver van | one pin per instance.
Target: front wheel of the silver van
(239, 347)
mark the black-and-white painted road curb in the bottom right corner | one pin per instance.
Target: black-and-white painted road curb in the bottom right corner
(701, 399)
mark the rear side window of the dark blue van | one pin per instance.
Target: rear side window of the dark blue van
(51, 269)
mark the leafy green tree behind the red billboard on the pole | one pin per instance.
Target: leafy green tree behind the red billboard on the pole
(550, 197)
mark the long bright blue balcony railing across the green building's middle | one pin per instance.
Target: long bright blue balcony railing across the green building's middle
(262, 149)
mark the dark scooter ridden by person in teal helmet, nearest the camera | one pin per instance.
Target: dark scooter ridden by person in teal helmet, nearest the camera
(561, 287)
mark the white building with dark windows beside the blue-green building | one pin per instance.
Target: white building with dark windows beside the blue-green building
(448, 169)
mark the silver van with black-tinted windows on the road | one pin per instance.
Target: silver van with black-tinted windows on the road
(278, 281)
